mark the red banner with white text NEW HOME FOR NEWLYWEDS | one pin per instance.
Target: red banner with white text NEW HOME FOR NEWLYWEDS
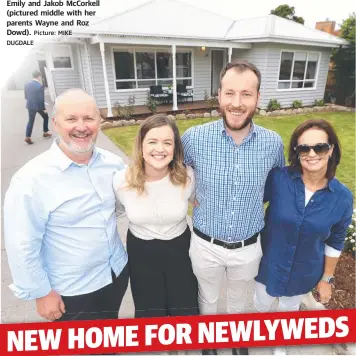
(180, 333)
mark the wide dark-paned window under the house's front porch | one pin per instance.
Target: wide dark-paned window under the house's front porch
(138, 68)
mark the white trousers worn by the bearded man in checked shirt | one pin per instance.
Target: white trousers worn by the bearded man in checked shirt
(210, 263)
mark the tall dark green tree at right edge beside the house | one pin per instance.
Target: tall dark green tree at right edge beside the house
(344, 64)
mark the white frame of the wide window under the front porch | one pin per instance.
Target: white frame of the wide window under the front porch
(152, 50)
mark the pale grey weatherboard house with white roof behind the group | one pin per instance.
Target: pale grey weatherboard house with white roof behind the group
(165, 42)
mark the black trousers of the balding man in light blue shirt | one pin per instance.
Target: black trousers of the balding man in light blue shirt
(101, 304)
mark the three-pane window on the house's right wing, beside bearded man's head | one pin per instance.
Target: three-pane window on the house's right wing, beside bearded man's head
(298, 70)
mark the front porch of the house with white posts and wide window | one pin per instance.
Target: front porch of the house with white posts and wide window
(126, 69)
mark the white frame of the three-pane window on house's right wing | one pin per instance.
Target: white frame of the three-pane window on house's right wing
(305, 71)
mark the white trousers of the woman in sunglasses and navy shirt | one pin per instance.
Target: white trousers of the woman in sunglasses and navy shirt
(263, 301)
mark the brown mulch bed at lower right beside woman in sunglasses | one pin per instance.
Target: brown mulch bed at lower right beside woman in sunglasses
(343, 295)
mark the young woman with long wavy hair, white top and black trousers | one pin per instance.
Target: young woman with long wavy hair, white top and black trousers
(154, 192)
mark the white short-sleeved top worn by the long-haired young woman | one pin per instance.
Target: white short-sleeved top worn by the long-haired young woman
(160, 212)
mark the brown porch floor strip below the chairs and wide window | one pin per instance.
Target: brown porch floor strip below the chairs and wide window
(142, 110)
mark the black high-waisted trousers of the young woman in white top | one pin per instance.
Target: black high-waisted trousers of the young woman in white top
(161, 276)
